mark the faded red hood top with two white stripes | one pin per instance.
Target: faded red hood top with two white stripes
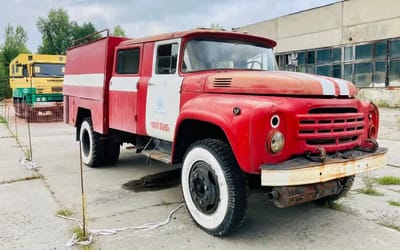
(278, 83)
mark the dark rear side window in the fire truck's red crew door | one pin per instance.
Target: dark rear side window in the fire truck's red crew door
(128, 61)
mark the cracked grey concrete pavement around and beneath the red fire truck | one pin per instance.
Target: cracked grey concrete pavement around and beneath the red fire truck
(361, 222)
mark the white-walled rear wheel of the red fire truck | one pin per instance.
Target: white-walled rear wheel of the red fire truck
(91, 145)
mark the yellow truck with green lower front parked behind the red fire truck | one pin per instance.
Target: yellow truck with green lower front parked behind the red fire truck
(37, 81)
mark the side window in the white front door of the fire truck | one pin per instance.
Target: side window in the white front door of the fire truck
(166, 58)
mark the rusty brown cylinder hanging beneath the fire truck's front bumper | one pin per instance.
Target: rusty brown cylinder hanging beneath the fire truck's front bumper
(293, 195)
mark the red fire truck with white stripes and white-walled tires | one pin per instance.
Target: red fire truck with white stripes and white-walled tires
(215, 102)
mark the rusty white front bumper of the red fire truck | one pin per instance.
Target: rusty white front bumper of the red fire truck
(300, 170)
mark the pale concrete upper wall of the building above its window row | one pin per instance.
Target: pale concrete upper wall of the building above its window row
(345, 22)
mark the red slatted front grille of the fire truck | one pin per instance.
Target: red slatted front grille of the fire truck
(330, 126)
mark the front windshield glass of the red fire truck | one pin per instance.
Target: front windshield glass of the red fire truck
(210, 54)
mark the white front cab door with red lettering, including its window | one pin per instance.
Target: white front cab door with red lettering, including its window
(163, 92)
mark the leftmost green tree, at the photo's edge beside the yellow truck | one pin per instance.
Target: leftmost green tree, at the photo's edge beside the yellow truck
(14, 44)
